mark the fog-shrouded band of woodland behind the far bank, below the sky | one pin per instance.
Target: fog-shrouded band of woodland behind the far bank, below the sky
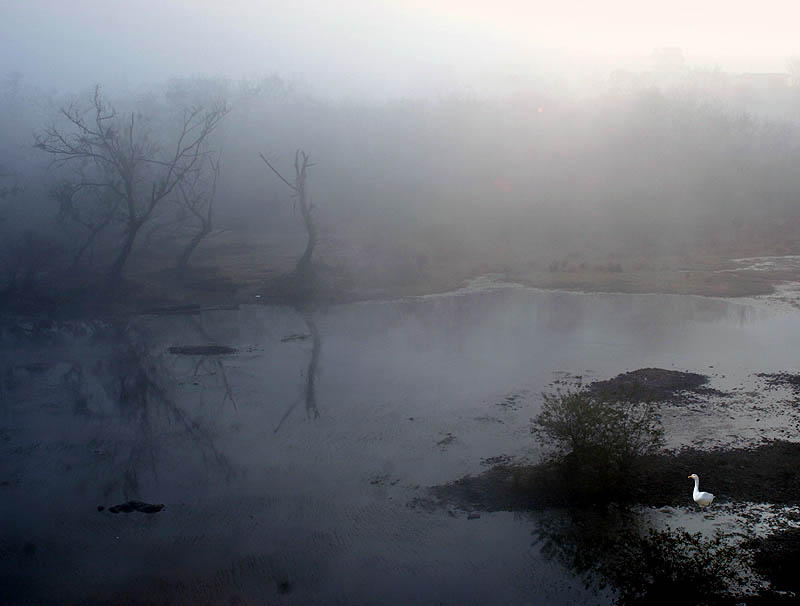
(527, 177)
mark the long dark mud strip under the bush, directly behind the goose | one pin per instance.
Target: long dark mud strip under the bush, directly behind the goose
(767, 474)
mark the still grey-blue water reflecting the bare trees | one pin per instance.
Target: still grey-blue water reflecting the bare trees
(290, 469)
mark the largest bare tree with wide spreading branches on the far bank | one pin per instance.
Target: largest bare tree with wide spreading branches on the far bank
(119, 157)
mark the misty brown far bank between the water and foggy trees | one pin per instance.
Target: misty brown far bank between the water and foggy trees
(225, 277)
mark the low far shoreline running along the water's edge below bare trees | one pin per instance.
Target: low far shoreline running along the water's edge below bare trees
(211, 288)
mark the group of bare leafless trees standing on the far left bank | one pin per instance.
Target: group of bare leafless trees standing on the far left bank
(116, 175)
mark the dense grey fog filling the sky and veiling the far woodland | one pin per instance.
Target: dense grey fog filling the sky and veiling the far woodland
(445, 156)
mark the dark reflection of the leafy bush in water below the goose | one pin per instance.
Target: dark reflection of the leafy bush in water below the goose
(611, 547)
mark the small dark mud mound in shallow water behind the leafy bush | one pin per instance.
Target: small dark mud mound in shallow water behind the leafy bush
(654, 385)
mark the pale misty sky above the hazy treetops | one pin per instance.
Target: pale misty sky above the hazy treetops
(390, 47)
